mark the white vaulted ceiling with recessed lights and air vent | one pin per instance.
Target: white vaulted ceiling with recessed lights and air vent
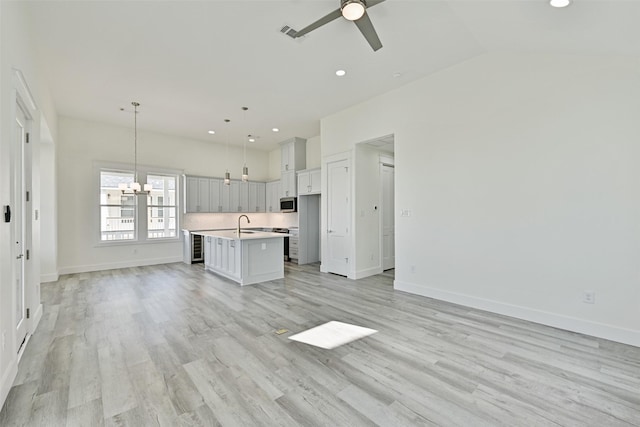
(192, 64)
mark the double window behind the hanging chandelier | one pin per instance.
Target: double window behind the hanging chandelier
(131, 218)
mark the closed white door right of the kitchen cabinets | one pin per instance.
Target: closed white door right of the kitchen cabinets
(338, 217)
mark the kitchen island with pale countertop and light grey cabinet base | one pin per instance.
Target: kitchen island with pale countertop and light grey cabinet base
(246, 258)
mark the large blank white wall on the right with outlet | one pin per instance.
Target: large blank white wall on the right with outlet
(520, 172)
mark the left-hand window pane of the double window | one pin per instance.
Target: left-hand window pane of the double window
(117, 218)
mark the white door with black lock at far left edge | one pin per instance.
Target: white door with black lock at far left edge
(18, 229)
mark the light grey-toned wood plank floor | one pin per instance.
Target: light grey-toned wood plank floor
(174, 345)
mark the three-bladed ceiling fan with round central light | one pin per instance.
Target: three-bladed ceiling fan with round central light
(352, 10)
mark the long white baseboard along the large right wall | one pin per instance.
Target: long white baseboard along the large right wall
(587, 327)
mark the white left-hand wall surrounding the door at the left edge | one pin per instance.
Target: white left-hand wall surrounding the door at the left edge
(17, 53)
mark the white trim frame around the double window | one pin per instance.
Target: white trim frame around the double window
(143, 170)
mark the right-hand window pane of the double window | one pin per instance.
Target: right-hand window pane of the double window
(161, 214)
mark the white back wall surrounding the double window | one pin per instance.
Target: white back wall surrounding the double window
(81, 143)
